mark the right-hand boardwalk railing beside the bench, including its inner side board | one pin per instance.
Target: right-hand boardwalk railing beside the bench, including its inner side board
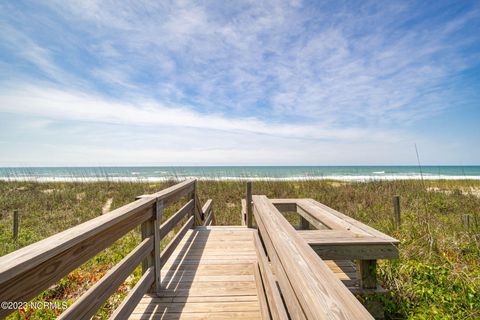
(310, 289)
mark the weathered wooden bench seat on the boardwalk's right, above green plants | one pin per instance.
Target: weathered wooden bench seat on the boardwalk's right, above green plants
(340, 237)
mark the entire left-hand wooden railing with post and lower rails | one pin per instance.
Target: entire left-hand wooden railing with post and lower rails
(25, 273)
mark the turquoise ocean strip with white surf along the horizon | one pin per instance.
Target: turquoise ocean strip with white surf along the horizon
(152, 174)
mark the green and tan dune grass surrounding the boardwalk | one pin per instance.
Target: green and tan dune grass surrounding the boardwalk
(437, 276)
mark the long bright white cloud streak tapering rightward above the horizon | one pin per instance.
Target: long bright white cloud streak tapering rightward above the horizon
(49, 102)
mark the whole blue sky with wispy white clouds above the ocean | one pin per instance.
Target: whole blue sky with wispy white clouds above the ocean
(99, 83)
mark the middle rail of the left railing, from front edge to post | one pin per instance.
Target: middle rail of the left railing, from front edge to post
(88, 303)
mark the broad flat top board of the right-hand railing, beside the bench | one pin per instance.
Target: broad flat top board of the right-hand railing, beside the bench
(320, 293)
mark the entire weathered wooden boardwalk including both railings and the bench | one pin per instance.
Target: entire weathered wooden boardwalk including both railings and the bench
(270, 271)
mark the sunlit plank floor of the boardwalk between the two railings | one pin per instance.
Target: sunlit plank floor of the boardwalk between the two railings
(210, 275)
